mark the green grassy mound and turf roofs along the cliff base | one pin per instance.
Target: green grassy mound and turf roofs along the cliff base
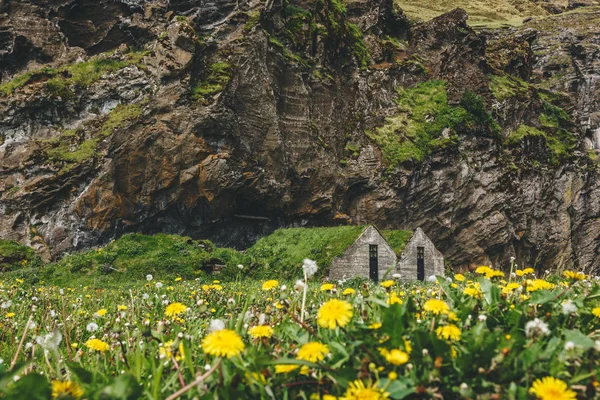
(133, 256)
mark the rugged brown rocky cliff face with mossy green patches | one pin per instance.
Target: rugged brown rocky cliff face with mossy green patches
(225, 120)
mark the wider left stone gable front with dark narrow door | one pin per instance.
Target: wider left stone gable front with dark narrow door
(370, 256)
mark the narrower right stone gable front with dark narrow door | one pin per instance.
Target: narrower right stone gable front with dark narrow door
(420, 259)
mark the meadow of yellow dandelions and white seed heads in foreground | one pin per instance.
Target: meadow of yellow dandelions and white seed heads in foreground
(482, 335)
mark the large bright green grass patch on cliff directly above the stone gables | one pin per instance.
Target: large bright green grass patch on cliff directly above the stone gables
(424, 114)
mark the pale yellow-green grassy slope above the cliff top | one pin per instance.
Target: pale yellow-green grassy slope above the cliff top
(485, 13)
